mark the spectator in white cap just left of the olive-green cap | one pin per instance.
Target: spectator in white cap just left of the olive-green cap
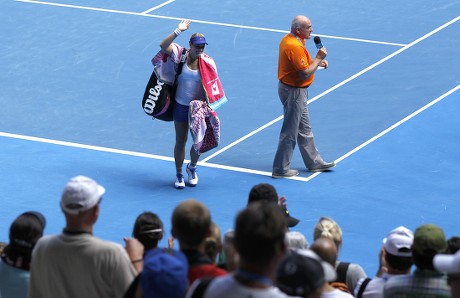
(395, 259)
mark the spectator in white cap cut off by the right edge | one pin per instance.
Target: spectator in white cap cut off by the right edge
(450, 264)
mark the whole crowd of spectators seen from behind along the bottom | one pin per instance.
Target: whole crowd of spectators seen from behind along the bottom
(259, 257)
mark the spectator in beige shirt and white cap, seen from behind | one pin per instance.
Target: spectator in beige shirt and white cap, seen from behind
(75, 263)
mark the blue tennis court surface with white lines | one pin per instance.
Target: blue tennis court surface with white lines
(386, 110)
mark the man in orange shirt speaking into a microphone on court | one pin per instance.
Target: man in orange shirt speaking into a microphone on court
(295, 73)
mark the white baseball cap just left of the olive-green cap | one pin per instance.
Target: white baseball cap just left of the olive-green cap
(399, 241)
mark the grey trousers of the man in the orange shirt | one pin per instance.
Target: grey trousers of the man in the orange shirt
(296, 129)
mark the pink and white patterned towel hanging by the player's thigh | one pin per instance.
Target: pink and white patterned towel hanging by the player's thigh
(204, 126)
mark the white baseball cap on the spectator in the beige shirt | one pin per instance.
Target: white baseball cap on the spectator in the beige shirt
(80, 194)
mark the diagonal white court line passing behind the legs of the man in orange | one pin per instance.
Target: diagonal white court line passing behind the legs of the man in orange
(340, 84)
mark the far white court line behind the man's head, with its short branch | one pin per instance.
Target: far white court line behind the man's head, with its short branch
(145, 14)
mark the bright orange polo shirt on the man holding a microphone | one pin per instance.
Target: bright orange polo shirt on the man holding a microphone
(293, 57)
